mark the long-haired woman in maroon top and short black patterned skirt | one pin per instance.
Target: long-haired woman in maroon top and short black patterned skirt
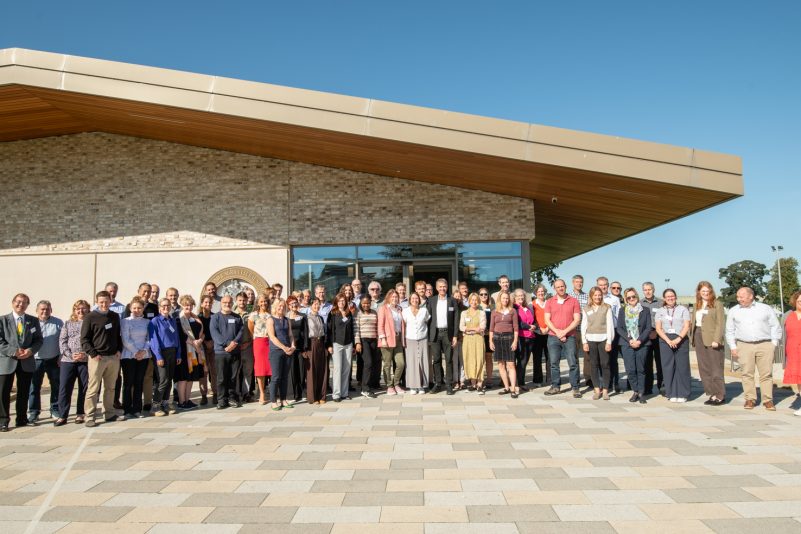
(503, 342)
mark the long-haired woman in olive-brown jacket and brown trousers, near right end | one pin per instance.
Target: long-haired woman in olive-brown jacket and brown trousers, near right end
(706, 335)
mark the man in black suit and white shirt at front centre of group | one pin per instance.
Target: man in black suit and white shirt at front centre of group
(443, 323)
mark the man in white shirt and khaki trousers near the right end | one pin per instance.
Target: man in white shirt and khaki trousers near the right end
(753, 333)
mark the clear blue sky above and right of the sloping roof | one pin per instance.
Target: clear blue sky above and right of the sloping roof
(715, 75)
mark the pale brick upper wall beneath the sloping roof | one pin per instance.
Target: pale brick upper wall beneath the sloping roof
(103, 192)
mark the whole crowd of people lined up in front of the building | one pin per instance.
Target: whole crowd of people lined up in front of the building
(145, 356)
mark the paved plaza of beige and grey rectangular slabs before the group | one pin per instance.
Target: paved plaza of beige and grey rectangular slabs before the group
(415, 464)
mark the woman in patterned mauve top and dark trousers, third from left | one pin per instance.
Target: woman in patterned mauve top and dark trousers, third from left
(73, 365)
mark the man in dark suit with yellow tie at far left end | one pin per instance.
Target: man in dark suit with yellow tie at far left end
(20, 339)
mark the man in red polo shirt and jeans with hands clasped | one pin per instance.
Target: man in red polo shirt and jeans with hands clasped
(562, 315)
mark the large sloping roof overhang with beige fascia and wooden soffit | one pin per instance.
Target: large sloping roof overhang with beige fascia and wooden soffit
(590, 175)
